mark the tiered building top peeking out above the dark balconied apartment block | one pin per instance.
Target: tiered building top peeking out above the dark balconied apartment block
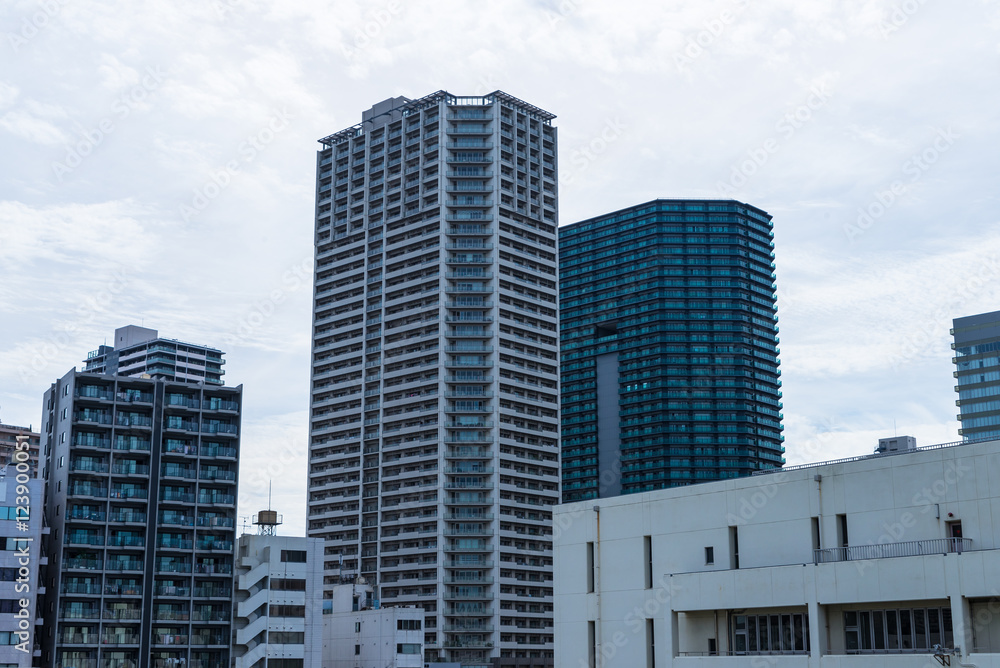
(140, 350)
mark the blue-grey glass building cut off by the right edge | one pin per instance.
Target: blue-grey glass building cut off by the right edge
(977, 374)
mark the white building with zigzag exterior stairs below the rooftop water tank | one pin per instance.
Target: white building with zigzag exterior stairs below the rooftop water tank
(278, 617)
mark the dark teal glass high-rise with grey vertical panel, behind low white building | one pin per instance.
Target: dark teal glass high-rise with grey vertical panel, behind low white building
(669, 339)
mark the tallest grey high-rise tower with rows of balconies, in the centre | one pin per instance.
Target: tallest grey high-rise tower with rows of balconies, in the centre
(434, 406)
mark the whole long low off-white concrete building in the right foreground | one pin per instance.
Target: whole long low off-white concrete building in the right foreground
(864, 562)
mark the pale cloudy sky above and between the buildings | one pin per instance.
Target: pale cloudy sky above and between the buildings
(158, 168)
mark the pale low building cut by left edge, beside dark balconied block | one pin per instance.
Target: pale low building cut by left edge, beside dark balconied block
(22, 562)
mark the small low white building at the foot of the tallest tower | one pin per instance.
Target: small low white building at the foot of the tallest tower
(356, 634)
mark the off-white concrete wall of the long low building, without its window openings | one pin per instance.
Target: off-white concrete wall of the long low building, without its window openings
(892, 501)
